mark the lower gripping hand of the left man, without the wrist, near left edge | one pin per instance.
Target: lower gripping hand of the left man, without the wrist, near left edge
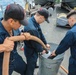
(8, 45)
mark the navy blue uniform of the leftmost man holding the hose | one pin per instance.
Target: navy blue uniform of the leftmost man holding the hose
(16, 62)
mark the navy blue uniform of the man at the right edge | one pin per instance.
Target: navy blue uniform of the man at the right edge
(69, 41)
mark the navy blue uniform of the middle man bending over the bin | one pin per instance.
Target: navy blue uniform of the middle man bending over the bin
(31, 47)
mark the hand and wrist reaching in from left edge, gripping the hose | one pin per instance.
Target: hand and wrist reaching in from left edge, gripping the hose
(7, 45)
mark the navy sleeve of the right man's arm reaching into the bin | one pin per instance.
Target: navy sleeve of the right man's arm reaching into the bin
(65, 43)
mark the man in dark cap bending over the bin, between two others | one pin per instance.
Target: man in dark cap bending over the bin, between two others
(31, 47)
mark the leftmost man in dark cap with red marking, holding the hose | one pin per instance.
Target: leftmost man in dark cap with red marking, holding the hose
(14, 16)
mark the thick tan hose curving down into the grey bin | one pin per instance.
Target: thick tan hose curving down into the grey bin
(5, 67)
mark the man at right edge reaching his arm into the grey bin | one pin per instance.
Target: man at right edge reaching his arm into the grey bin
(69, 41)
